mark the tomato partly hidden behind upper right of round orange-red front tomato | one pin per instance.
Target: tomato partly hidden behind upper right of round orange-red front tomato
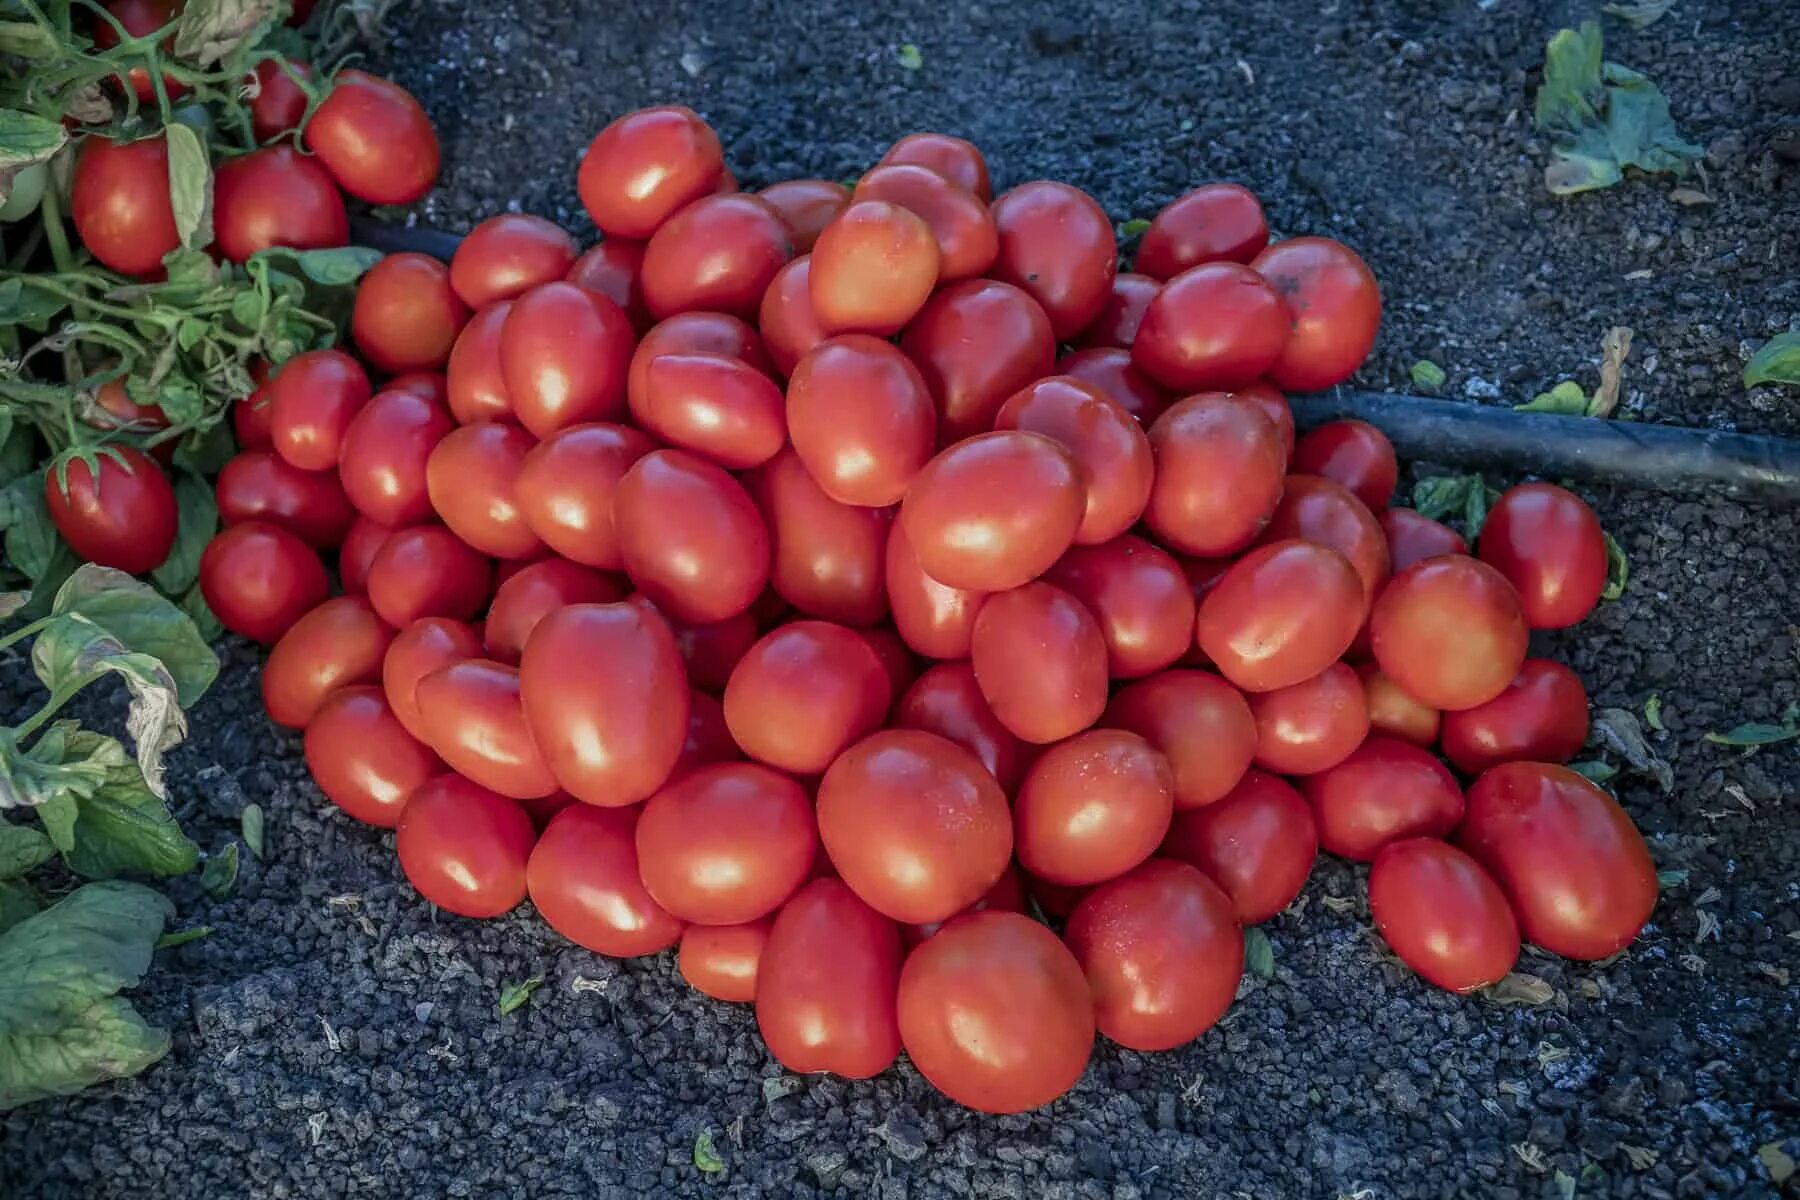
(1200, 722)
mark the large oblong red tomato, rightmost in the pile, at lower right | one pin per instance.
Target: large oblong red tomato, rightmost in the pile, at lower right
(1576, 870)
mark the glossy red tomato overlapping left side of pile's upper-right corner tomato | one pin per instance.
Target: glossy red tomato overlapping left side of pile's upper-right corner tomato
(1212, 327)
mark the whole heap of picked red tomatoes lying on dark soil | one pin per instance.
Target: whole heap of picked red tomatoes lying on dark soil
(823, 580)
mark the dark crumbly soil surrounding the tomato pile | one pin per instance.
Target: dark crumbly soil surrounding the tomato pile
(337, 1037)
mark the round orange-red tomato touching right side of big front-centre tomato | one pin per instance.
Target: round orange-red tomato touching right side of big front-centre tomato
(1093, 807)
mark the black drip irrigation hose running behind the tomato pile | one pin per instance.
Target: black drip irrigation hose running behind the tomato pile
(1637, 454)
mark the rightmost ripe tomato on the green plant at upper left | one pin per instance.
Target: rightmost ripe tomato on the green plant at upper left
(375, 139)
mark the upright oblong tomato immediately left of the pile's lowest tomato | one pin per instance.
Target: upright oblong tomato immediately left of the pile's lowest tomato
(827, 981)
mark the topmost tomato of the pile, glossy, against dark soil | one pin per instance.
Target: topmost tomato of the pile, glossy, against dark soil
(645, 166)
